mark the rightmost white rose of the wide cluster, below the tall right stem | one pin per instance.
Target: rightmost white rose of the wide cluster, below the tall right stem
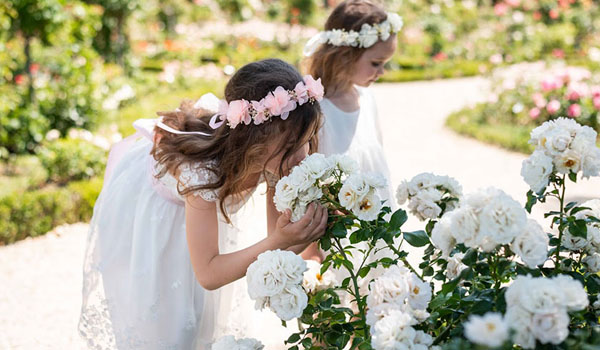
(532, 245)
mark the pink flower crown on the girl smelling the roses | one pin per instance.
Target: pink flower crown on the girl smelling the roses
(277, 103)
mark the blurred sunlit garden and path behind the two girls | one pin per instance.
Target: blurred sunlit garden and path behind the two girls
(75, 74)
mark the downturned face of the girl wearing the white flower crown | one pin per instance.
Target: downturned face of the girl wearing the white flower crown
(369, 66)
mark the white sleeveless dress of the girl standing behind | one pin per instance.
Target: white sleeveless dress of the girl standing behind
(357, 135)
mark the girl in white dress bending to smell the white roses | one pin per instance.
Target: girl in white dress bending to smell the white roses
(158, 248)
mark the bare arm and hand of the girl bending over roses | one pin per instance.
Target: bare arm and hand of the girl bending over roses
(214, 270)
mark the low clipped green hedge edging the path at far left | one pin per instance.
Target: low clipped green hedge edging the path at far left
(34, 213)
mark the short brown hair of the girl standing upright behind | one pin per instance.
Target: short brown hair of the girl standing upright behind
(333, 64)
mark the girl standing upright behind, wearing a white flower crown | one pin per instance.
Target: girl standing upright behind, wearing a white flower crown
(359, 39)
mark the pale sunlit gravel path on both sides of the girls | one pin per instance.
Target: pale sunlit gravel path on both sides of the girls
(40, 279)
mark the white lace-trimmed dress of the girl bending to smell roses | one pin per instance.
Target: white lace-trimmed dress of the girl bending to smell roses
(139, 288)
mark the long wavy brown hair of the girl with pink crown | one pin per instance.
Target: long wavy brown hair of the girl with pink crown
(234, 155)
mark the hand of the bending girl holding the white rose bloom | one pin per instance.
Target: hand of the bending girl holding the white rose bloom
(308, 229)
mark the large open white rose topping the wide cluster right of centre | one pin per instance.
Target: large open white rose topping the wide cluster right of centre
(502, 219)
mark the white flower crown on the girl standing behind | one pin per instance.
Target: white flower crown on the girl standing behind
(367, 37)
